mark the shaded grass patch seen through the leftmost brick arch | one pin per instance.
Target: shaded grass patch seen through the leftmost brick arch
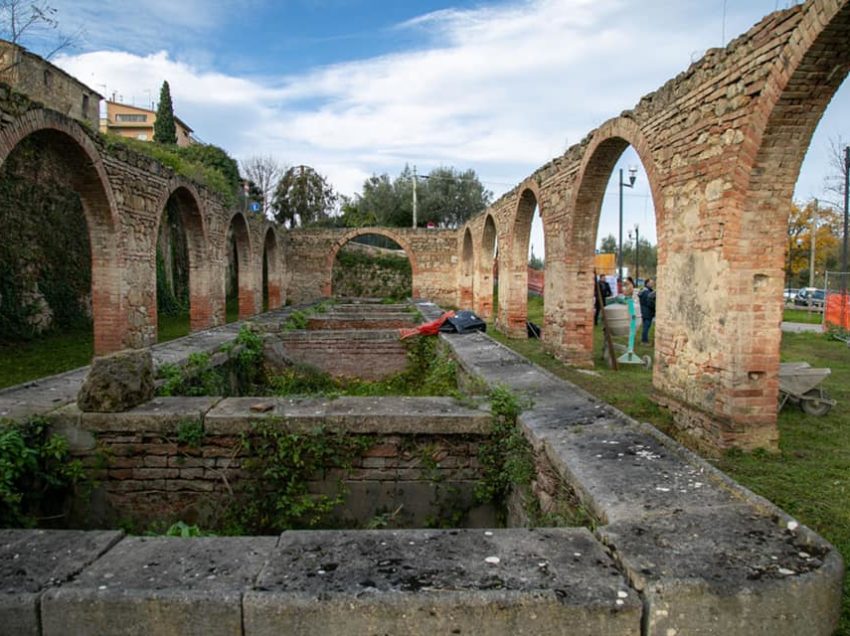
(48, 355)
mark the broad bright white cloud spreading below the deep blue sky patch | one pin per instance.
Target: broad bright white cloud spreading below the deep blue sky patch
(500, 89)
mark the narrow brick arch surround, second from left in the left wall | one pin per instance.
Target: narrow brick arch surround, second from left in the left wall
(191, 213)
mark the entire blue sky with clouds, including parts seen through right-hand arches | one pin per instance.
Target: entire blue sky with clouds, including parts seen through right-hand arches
(355, 87)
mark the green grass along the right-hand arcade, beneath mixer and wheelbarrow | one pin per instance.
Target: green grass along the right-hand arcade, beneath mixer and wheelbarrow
(810, 475)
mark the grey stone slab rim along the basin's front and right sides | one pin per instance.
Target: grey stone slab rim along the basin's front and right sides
(679, 549)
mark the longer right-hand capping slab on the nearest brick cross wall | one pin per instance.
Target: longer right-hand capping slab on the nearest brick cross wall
(384, 415)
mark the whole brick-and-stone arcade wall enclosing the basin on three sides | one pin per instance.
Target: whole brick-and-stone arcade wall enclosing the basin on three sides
(722, 144)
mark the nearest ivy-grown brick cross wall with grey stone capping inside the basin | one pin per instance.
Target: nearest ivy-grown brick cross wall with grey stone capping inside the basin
(147, 472)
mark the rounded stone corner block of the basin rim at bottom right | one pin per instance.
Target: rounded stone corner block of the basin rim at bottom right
(729, 570)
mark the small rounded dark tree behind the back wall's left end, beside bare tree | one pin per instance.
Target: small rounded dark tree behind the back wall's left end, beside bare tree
(302, 197)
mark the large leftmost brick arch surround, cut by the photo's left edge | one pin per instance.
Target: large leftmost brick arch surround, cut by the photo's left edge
(88, 177)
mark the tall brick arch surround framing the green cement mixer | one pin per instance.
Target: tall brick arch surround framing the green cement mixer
(608, 142)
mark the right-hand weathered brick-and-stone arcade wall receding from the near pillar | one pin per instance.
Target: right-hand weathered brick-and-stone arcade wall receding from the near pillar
(722, 145)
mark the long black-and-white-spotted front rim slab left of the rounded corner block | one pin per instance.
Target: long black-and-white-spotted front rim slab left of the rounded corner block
(426, 582)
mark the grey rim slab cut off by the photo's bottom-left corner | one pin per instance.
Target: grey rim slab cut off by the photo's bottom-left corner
(34, 560)
